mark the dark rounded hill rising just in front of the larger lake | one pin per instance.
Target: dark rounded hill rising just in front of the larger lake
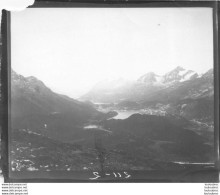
(157, 137)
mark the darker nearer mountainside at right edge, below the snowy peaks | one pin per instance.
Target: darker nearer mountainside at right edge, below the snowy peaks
(192, 99)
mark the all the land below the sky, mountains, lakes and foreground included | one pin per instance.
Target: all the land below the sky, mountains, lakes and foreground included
(164, 128)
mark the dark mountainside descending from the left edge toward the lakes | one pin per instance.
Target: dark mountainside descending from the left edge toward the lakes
(34, 106)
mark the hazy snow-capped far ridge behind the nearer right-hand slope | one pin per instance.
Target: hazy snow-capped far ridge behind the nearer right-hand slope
(145, 86)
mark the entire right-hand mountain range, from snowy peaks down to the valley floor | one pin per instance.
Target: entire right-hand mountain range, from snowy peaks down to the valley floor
(179, 92)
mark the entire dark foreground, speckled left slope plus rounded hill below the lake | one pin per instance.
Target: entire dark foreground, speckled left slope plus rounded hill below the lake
(137, 143)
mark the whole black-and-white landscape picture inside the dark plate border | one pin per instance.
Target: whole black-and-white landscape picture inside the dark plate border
(111, 92)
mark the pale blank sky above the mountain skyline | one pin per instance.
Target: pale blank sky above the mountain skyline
(72, 49)
